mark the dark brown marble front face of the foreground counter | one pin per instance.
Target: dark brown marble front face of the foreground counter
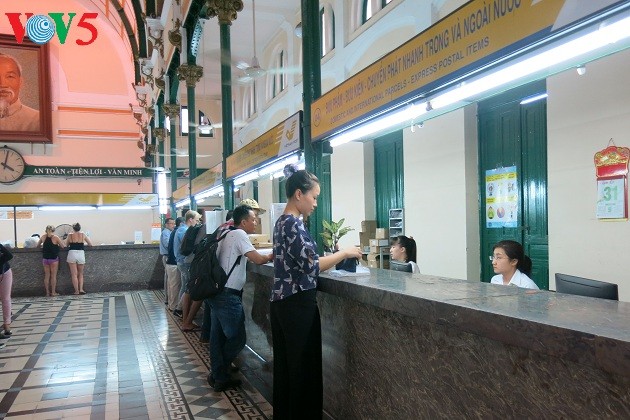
(395, 367)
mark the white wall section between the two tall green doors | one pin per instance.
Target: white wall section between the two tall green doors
(435, 194)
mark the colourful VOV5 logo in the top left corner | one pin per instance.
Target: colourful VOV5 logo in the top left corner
(41, 28)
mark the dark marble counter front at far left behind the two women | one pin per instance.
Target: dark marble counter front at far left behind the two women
(108, 268)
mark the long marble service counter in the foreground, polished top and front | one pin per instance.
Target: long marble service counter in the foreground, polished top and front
(401, 345)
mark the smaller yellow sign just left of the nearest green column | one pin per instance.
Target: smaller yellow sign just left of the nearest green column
(280, 140)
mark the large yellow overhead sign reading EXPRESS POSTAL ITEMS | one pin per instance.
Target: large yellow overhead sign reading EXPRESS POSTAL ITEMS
(476, 31)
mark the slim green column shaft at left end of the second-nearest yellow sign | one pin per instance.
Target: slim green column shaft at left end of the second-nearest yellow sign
(226, 111)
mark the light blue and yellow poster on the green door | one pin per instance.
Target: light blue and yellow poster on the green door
(501, 198)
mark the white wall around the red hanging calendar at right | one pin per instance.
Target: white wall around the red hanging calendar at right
(584, 112)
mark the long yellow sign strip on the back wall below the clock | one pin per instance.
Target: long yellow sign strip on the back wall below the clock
(69, 199)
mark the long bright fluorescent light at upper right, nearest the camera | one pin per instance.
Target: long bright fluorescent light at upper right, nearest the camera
(598, 38)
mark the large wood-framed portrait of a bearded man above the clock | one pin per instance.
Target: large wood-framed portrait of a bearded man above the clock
(25, 106)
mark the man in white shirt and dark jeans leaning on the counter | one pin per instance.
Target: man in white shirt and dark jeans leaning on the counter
(227, 336)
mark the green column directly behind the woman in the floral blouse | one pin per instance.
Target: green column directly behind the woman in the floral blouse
(315, 160)
